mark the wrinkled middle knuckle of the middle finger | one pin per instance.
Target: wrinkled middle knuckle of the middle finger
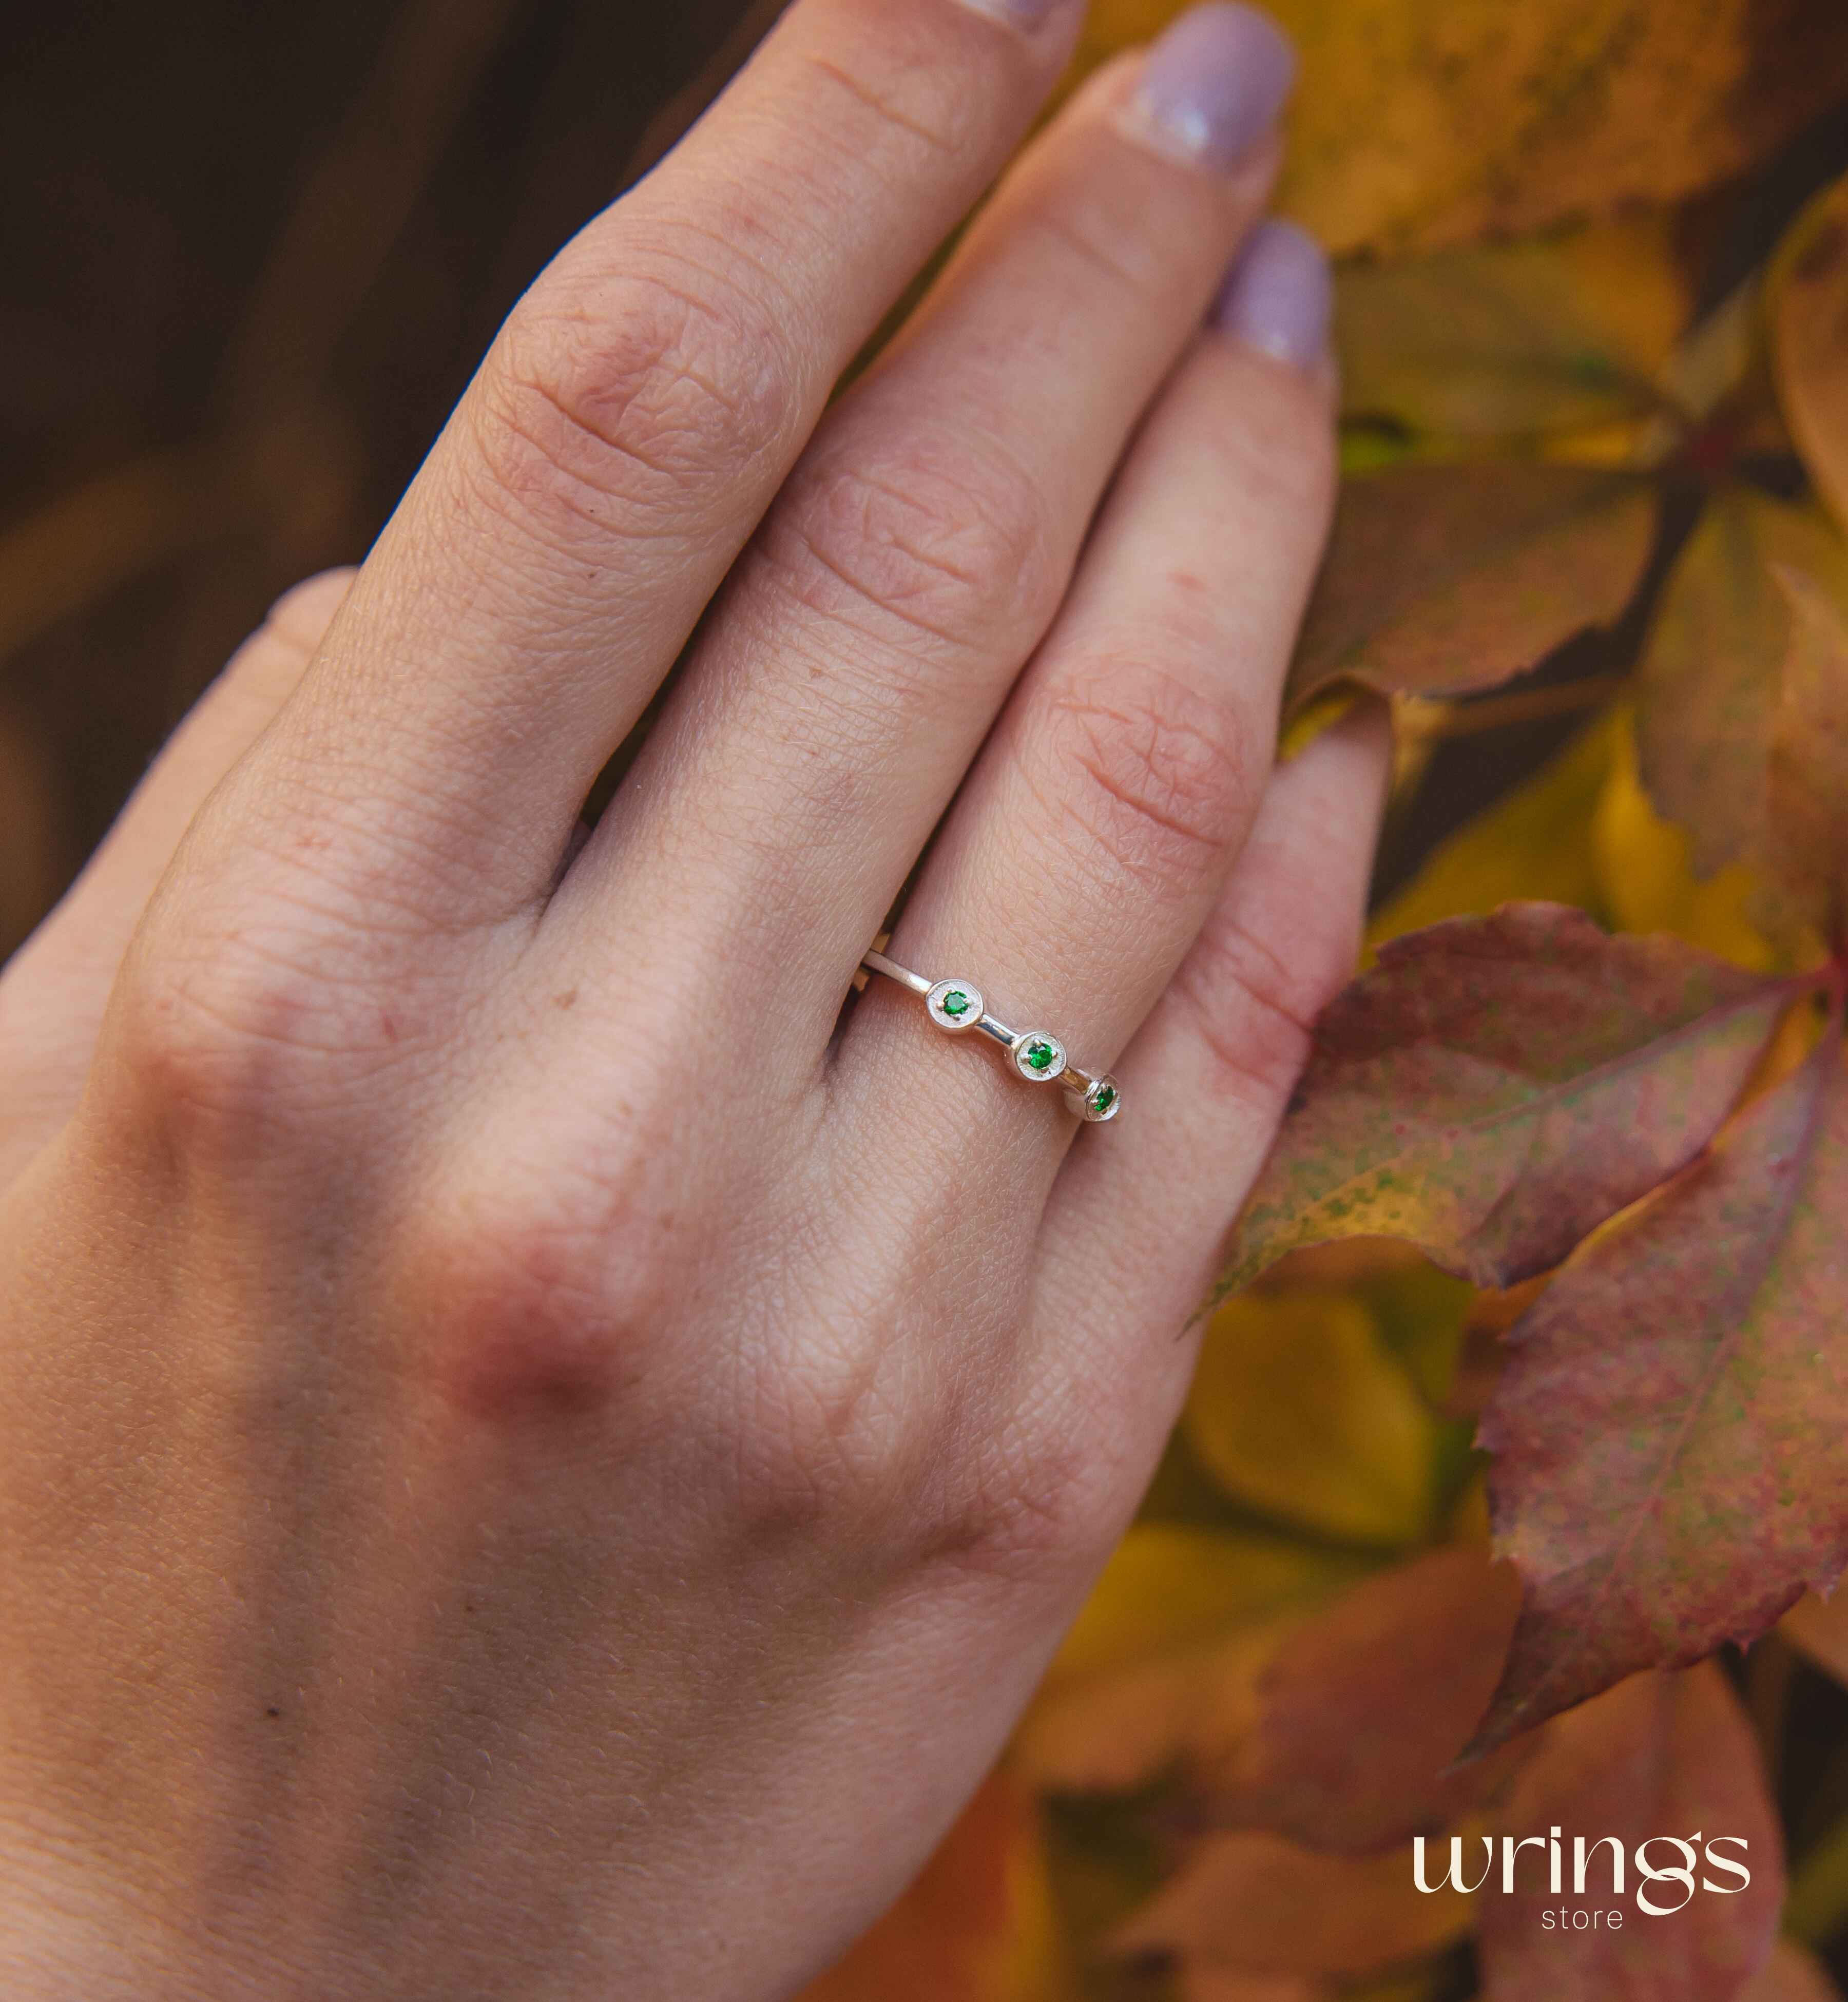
(940, 540)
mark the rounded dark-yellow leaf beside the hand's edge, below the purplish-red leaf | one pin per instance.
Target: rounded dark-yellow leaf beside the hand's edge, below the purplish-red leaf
(1300, 1410)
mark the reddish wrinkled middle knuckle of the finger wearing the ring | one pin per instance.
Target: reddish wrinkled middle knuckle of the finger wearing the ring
(1152, 770)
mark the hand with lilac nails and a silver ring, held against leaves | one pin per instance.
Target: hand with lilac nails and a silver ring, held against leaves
(534, 1466)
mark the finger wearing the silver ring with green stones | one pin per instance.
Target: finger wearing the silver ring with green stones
(1114, 796)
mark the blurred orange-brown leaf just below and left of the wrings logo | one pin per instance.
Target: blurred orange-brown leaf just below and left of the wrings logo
(1264, 1905)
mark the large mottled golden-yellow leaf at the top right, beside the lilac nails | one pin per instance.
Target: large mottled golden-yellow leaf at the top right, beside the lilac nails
(1439, 121)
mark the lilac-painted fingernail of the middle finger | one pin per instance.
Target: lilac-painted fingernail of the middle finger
(1214, 85)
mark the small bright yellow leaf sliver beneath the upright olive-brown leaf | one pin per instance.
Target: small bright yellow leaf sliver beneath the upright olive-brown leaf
(1647, 878)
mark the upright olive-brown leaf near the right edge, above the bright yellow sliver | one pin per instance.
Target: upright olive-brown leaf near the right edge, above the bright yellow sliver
(1715, 662)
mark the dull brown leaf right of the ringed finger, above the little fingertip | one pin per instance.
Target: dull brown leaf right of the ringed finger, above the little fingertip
(1453, 578)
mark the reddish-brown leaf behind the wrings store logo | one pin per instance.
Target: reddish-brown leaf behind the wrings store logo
(1655, 1757)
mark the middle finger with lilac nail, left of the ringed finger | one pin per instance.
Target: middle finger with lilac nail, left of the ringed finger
(926, 542)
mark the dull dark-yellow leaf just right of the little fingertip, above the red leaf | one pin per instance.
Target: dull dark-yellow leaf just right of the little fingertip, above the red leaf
(1537, 844)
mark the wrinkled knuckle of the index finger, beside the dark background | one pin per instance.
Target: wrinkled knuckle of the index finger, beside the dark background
(634, 391)
